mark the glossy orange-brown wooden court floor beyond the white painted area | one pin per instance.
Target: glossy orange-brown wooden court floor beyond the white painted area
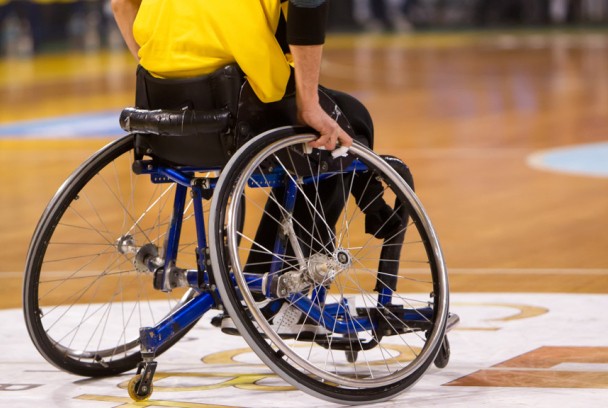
(463, 110)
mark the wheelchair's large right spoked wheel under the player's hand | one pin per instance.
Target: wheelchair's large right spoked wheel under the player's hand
(350, 301)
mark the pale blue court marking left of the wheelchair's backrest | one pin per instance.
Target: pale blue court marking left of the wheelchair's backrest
(99, 124)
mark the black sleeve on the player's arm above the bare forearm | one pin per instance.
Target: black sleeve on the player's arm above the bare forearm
(306, 22)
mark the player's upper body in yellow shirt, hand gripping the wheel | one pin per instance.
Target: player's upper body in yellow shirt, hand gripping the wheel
(176, 39)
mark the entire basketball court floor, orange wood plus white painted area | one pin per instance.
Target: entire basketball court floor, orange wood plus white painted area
(507, 137)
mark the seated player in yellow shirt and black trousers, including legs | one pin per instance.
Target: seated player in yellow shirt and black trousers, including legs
(278, 44)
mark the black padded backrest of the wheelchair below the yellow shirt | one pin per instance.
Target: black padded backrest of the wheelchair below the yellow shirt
(199, 143)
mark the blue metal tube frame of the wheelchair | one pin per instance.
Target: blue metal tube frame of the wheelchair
(331, 316)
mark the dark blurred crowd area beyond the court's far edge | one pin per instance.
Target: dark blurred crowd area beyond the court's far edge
(28, 27)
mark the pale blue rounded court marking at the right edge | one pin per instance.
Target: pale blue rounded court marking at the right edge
(583, 160)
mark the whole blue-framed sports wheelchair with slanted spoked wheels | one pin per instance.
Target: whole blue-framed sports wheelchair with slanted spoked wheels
(135, 247)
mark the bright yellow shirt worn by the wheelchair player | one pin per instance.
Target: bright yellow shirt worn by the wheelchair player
(186, 38)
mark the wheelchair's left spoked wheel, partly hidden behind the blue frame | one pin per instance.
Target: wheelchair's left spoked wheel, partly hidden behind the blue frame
(84, 299)
